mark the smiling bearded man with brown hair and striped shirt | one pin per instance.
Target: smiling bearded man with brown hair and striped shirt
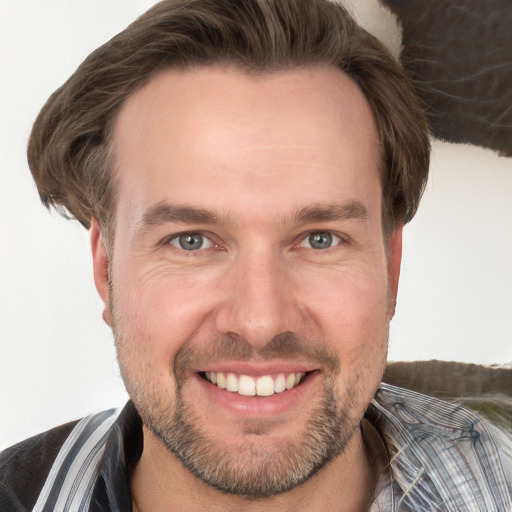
(245, 170)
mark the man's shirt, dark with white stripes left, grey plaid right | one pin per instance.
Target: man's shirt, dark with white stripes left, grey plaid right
(442, 457)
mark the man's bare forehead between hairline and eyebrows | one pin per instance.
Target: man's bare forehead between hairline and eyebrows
(190, 136)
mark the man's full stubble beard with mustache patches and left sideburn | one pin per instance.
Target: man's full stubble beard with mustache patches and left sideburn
(251, 469)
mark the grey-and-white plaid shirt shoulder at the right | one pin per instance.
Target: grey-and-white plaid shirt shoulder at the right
(444, 450)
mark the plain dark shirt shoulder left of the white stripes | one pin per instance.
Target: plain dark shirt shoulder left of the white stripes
(24, 467)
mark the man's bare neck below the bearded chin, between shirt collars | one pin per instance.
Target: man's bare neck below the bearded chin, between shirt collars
(159, 482)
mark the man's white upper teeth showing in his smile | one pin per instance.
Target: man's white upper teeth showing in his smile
(251, 386)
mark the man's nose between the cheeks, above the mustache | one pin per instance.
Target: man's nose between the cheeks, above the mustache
(258, 300)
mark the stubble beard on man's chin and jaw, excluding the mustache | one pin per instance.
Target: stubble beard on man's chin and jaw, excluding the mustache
(252, 469)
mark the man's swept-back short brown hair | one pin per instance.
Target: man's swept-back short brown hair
(68, 151)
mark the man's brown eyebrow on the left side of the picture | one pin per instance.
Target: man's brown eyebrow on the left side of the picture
(163, 213)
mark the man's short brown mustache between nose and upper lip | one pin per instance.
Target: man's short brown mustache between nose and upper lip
(287, 346)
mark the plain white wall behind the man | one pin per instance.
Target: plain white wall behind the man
(57, 359)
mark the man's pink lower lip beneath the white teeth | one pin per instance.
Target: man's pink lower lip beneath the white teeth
(259, 406)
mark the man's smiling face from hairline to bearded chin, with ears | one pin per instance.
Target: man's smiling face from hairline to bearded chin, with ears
(249, 255)
